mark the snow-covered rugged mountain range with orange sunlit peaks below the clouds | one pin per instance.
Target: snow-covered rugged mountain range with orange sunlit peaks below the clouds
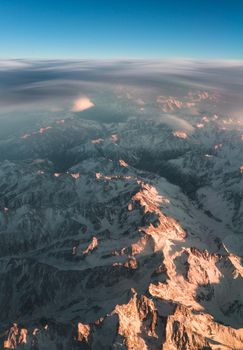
(134, 244)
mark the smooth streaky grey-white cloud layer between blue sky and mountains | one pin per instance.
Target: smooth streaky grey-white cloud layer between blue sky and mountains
(55, 84)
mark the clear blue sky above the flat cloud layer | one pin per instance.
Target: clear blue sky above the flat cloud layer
(208, 29)
